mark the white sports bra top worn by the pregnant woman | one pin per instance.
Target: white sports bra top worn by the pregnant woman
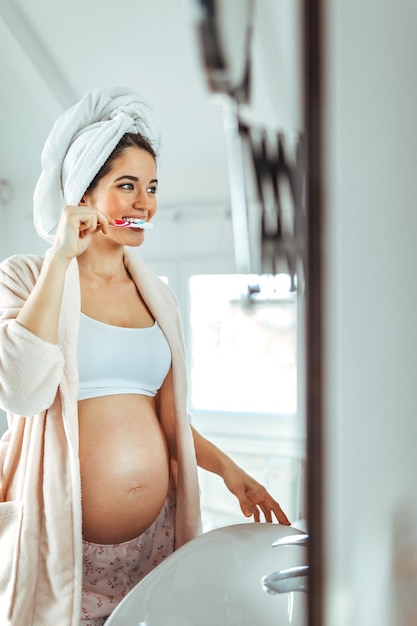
(117, 360)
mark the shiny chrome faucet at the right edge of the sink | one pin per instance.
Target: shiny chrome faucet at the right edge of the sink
(293, 578)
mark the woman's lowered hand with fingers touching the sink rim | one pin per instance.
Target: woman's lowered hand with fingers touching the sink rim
(253, 498)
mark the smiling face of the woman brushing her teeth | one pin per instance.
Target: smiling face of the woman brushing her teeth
(128, 190)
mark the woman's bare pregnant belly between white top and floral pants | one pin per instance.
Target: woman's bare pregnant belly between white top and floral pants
(124, 467)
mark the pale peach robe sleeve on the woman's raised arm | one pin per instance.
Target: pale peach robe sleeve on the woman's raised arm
(30, 367)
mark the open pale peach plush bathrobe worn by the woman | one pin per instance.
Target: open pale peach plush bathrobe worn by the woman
(40, 489)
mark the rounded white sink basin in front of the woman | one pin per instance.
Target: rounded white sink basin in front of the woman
(215, 580)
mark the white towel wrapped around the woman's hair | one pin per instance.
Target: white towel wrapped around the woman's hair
(80, 142)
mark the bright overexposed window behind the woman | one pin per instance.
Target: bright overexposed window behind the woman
(243, 343)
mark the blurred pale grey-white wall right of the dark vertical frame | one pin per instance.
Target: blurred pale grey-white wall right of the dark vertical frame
(371, 333)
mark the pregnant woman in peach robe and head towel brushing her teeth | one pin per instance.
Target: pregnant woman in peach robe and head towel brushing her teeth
(99, 466)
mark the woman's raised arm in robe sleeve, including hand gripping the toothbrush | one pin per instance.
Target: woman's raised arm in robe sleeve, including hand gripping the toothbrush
(31, 361)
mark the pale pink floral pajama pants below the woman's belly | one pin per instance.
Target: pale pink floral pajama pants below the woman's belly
(111, 571)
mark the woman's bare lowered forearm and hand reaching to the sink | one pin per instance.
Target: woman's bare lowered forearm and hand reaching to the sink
(253, 497)
